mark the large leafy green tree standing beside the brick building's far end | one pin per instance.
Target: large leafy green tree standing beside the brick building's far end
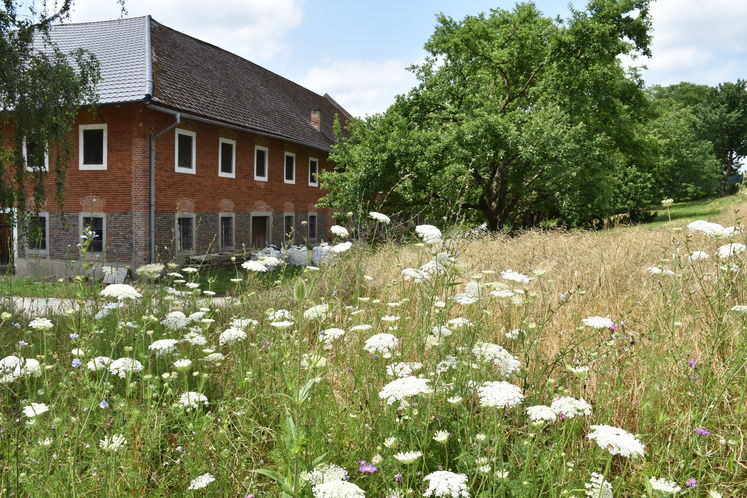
(517, 118)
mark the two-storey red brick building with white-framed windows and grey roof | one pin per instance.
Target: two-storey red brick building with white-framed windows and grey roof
(190, 150)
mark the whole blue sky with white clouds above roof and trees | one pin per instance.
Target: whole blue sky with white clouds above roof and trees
(358, 50)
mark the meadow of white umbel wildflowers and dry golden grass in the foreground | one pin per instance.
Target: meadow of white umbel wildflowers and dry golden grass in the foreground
(608, 363)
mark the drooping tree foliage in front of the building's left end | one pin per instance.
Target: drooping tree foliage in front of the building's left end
(41, 90)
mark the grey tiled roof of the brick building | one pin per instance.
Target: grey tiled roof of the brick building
(186, 74)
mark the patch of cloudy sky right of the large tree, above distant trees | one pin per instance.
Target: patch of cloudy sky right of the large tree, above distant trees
(697, 41)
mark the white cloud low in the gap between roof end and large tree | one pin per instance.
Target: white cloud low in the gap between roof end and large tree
(361, 87)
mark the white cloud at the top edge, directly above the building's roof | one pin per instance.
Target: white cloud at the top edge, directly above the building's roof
(257, 30)
